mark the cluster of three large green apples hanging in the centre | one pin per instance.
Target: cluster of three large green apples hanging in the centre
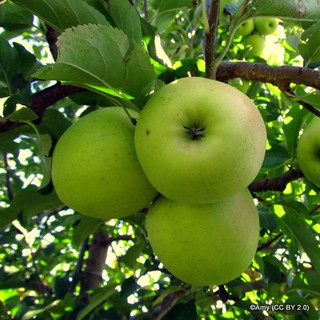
(195, 148)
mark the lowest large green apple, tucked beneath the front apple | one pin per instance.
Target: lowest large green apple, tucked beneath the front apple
(204, 244)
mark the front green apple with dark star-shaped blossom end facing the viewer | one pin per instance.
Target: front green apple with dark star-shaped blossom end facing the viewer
(199, 140)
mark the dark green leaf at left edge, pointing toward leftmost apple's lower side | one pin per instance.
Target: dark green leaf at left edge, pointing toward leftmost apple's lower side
(28, 202)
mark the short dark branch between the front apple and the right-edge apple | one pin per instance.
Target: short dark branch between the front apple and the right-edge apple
(276, 184)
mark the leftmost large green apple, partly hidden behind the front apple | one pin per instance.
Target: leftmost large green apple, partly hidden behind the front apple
(95, 169)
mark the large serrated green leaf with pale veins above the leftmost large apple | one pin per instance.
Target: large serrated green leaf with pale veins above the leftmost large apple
(97, 58)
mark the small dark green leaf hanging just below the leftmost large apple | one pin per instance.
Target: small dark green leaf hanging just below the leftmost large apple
(84, 228)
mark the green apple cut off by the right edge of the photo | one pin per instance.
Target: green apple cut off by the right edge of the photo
(308, 151)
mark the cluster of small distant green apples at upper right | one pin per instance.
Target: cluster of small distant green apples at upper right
(253, 30)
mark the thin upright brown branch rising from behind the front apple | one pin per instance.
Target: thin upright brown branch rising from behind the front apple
(210, 39)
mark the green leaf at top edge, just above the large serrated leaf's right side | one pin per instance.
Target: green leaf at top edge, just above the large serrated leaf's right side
(126, 18)
